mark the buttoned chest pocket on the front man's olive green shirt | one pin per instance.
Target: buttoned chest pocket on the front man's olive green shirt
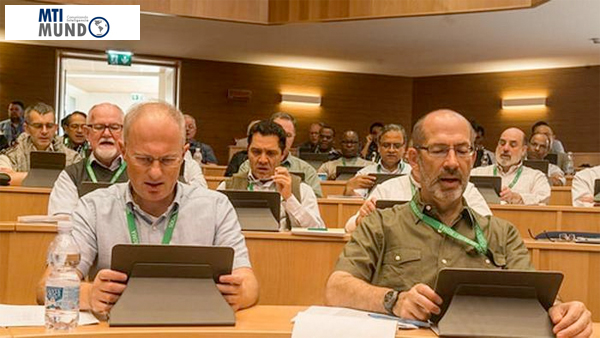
(401, 268)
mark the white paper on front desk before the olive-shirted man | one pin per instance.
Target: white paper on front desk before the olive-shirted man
(310, 325)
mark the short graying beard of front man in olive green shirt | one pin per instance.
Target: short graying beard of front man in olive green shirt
(434, 187)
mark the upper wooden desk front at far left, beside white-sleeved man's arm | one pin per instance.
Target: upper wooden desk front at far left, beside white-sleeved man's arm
(19, 201)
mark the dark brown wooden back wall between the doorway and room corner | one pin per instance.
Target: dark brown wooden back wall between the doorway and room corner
(349, 101)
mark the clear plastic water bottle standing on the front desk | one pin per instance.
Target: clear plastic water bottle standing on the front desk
(62, 285)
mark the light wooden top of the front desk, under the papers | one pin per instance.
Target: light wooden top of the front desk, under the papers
(258, 321)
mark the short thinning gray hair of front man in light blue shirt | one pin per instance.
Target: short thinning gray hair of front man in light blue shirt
(162, 108)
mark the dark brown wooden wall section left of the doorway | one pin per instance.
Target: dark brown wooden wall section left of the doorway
(27, 74)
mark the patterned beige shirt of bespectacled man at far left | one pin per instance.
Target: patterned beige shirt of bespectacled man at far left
(17, 157)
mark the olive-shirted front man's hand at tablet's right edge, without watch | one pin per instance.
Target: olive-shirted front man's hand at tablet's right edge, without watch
(571, 319)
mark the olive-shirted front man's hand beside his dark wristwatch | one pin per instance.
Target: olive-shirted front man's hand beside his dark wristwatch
(418, 303)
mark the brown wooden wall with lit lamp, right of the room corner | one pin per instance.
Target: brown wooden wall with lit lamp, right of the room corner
(573, 104)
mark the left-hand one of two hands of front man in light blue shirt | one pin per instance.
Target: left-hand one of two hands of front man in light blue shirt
(106, 290)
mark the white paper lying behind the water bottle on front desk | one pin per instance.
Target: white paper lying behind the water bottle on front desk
(33, 315)
